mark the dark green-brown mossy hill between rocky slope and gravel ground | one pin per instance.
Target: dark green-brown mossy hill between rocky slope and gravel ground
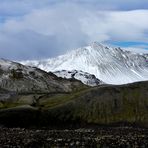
(106, 104)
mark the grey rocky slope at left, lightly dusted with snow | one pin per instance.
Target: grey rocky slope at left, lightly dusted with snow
(18, 78)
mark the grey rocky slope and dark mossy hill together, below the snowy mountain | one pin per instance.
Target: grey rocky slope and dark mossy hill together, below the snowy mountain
(48, 100)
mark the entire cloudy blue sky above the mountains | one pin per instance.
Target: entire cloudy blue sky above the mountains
(38, 29)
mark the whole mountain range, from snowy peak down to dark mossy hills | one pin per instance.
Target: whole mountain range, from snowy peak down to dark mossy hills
(31, 97)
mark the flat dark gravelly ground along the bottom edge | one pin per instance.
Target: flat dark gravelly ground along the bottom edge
(124, 137)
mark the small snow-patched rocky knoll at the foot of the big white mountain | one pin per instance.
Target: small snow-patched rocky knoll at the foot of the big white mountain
(85, 77)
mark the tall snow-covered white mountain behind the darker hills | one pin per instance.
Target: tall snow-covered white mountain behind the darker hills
(110, 65)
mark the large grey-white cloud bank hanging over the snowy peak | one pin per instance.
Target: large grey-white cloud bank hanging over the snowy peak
(67, 26)
